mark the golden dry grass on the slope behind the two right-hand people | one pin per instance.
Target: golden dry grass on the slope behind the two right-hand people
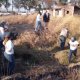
(72, 22)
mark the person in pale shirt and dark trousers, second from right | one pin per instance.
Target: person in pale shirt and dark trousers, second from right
(62, 38)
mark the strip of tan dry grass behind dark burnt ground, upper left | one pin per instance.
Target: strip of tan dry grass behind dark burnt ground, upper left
(19, 19)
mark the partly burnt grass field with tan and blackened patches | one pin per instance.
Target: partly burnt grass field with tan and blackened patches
(39, 56)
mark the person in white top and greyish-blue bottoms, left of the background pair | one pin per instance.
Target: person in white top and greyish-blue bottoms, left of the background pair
(38, 26)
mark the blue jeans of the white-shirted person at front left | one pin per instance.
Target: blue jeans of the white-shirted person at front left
(10, 63)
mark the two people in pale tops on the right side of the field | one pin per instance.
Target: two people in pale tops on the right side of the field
(73, 43)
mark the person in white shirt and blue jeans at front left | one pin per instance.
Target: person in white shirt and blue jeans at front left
(8, 54)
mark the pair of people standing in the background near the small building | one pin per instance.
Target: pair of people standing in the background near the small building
(40, 19)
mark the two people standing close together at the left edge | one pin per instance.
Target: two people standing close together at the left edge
(6, 50)
